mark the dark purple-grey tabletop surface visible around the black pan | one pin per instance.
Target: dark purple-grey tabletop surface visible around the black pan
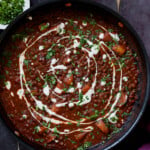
(137, 12)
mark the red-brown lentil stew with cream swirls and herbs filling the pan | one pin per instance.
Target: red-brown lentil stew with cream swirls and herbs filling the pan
(69, 79)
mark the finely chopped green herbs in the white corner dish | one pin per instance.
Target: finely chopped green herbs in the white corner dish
(9, 9)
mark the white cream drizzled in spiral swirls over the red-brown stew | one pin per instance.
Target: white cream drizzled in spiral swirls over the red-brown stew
(86, 97)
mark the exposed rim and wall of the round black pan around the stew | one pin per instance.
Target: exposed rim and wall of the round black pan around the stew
(144, 77)
